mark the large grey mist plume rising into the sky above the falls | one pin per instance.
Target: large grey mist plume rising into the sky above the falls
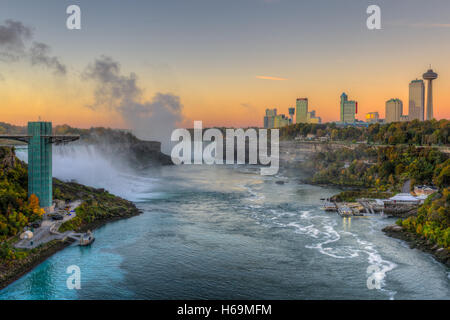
(154, 119)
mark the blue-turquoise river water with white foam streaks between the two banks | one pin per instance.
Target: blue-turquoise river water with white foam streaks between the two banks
(229, 233)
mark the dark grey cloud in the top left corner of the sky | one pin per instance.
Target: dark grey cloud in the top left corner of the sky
(14, 38)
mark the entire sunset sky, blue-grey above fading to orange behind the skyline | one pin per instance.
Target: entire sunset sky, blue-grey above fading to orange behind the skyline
(219, 61)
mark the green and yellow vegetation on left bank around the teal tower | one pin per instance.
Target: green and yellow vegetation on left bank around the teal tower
(17, 211)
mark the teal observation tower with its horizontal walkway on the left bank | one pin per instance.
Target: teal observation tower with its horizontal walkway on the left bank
(40, 140)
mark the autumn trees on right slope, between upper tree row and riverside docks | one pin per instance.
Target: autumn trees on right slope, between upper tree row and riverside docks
(382, 168)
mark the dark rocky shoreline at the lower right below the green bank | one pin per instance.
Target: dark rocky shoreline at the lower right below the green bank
(415, 242)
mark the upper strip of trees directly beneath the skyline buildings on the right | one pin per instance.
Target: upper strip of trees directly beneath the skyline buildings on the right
(413, 132)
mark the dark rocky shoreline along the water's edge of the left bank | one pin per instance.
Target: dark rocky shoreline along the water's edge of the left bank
(21, 268)
